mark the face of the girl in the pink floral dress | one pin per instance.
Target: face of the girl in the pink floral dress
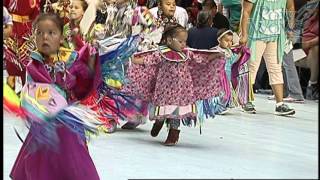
(179, 42)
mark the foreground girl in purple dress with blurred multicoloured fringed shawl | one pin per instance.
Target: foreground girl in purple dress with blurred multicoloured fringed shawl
(57, 78)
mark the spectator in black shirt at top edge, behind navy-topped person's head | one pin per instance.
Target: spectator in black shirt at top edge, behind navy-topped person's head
(219, 20)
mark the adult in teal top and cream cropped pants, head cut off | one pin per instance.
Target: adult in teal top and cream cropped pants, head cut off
(263, 41)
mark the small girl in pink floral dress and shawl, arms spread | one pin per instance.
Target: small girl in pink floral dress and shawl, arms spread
(172, 79)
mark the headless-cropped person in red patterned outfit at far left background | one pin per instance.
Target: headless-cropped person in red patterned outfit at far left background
(20, 43)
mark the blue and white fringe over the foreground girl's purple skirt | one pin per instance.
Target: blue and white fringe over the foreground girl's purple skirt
(77, 118)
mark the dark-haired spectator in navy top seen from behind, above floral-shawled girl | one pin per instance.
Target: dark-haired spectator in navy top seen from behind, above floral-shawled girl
(203, 36)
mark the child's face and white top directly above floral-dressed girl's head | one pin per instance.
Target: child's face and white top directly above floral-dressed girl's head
(169, 9)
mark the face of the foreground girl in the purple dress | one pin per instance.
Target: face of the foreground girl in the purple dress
(48, 37)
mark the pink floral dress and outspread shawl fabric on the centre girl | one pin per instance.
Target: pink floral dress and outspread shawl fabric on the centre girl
(161, 81)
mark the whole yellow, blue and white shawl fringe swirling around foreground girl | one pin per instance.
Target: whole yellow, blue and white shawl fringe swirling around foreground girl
(43, 124)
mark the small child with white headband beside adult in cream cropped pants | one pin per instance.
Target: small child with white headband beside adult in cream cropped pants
(235, 79)
